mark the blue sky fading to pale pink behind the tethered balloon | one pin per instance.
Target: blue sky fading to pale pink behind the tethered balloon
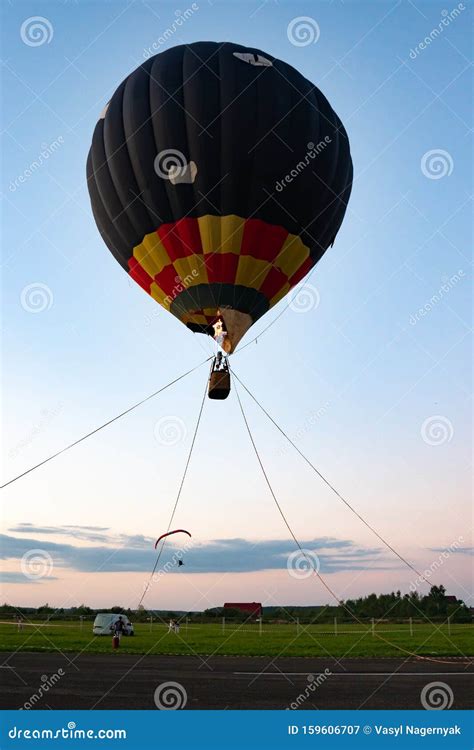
(374, 391)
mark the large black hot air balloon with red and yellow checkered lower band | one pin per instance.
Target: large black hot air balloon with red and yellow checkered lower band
(218, 176)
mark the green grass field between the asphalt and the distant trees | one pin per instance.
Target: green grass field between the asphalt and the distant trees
(283, 640)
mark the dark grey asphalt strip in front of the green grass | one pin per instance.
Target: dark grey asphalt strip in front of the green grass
(122, 681)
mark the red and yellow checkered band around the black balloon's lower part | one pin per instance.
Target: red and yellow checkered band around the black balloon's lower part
(212, 250)
